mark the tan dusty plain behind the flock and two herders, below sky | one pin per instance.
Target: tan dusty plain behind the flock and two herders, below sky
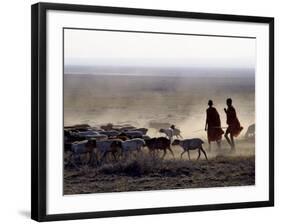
(141, 100)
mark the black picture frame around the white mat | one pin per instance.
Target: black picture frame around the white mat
(38, 108)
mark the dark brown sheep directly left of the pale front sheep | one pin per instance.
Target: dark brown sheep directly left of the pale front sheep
(160, 143)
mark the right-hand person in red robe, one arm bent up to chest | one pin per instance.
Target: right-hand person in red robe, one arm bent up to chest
(234, 128)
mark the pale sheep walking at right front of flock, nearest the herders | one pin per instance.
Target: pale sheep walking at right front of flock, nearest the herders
(191, 144)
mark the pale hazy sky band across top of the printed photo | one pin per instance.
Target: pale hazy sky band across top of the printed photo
(91, 48)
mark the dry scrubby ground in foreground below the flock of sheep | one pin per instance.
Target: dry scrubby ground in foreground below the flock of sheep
(142, 173)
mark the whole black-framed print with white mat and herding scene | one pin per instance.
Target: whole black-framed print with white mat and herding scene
(140, 111)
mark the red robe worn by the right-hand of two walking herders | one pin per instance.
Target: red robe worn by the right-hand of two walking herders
(234, 126)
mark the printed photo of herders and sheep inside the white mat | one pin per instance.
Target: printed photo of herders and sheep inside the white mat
(146, 111)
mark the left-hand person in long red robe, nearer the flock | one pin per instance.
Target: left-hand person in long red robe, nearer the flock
(213, 125)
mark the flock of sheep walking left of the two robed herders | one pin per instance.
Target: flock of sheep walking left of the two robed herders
(121, 141)
